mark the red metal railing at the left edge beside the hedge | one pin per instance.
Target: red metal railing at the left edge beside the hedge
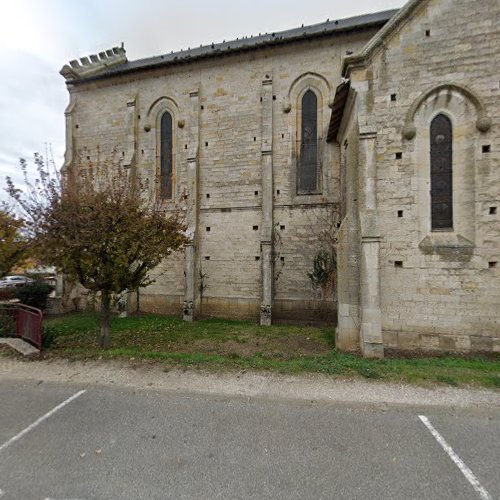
(20, 320)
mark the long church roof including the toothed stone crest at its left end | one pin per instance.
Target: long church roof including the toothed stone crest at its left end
(114, 61)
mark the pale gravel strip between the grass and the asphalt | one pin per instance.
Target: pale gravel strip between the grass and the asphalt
(249, 384)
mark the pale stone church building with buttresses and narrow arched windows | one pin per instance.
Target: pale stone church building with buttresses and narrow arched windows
(377, 135)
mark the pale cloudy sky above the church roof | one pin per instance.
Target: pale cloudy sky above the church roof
(37, 37)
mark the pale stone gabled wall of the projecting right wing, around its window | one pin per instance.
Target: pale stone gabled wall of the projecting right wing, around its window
(438, 289)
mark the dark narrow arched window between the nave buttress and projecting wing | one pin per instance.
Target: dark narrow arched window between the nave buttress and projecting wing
(308, 160)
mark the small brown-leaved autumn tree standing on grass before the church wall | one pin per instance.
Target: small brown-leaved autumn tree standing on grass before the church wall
(101, 229)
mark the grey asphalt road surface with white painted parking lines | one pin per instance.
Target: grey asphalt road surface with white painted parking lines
(121, 443)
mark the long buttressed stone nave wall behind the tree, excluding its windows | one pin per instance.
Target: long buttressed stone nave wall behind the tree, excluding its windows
(235, 142)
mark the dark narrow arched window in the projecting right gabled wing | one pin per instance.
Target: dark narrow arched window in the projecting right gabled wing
(441, 173)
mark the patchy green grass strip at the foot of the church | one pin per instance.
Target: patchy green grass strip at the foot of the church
(219, 344)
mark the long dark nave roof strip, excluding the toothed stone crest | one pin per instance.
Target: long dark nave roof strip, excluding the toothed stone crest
(326, 28)
